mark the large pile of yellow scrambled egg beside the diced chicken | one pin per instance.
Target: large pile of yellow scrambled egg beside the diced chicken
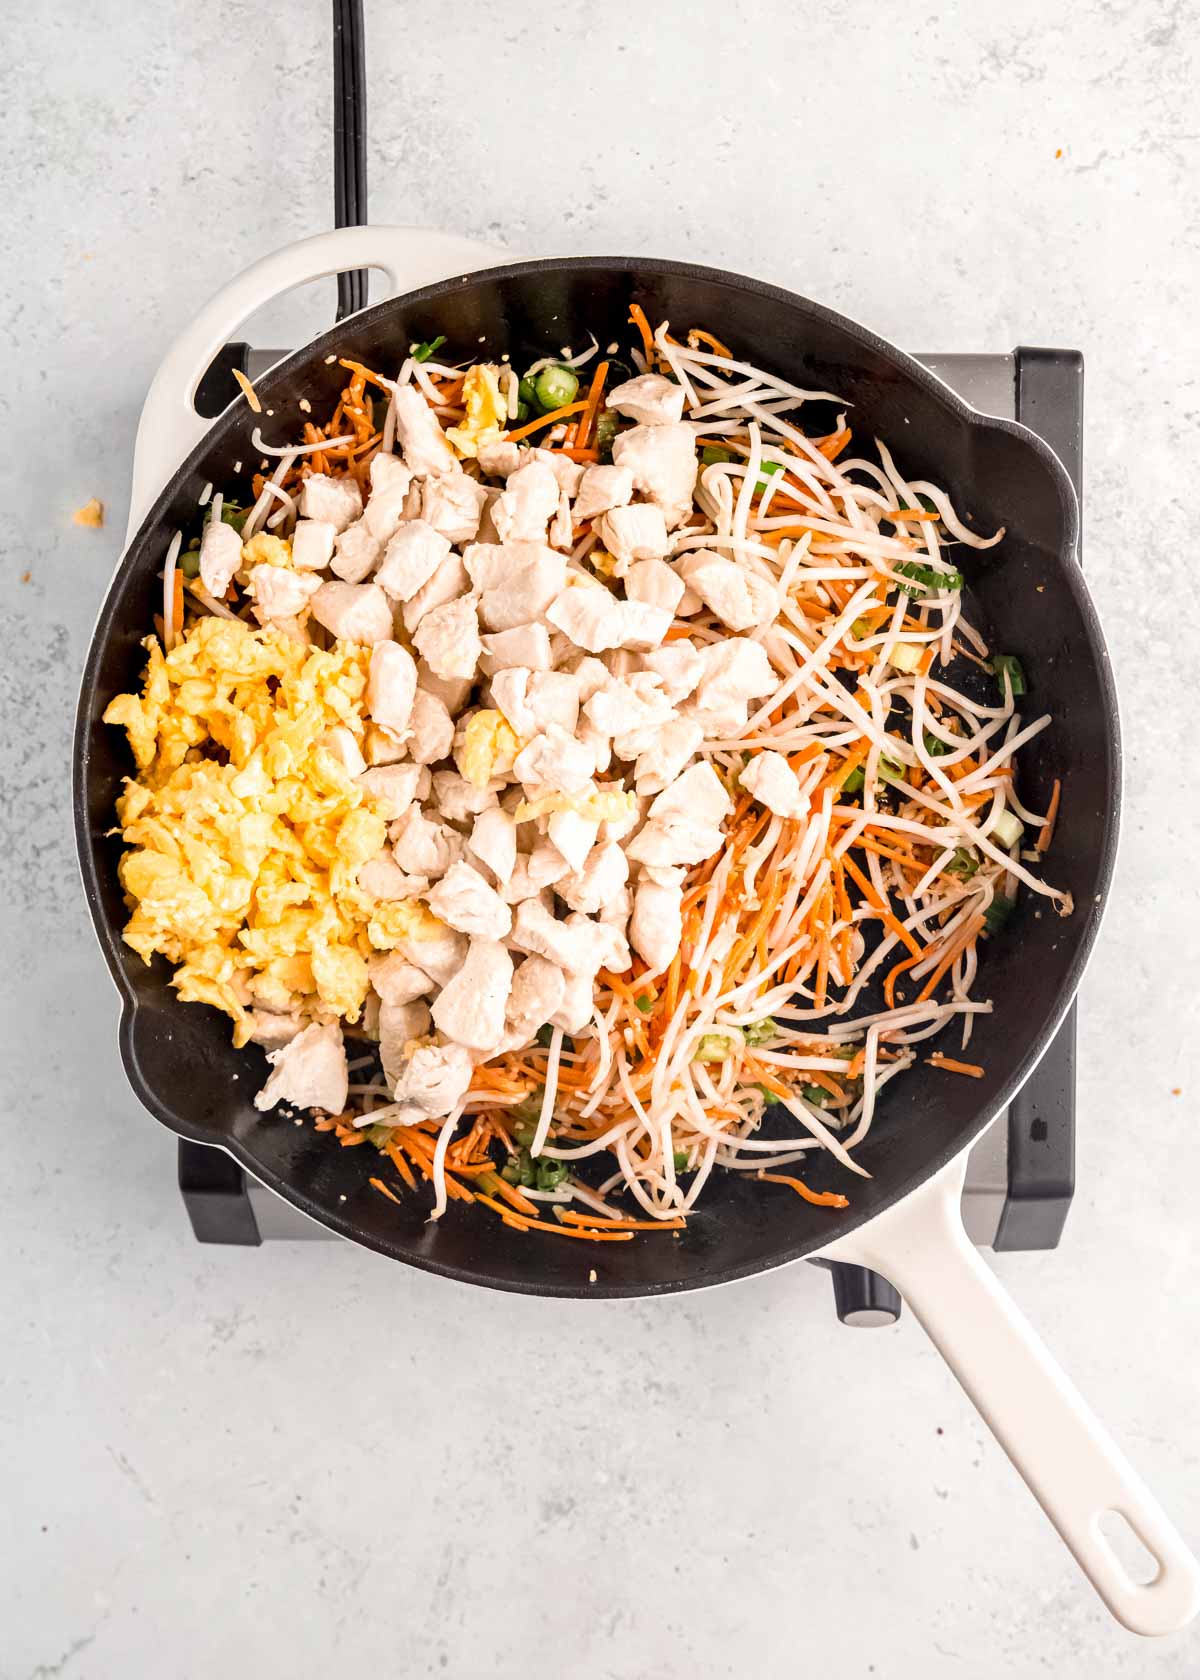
(246, 832)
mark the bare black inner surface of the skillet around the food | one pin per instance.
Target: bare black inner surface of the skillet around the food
(1031, 594)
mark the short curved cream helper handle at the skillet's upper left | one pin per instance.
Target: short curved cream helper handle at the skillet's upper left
(171, 426)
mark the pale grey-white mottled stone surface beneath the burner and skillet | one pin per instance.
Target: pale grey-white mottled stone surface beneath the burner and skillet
(302, 1461)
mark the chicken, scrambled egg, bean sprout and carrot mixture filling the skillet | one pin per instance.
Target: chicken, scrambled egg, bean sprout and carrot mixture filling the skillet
(579, 782)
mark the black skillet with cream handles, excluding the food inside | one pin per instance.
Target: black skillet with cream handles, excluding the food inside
(903, 1221)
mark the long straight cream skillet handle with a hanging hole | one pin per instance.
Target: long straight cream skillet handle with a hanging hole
(1055, 1441)
